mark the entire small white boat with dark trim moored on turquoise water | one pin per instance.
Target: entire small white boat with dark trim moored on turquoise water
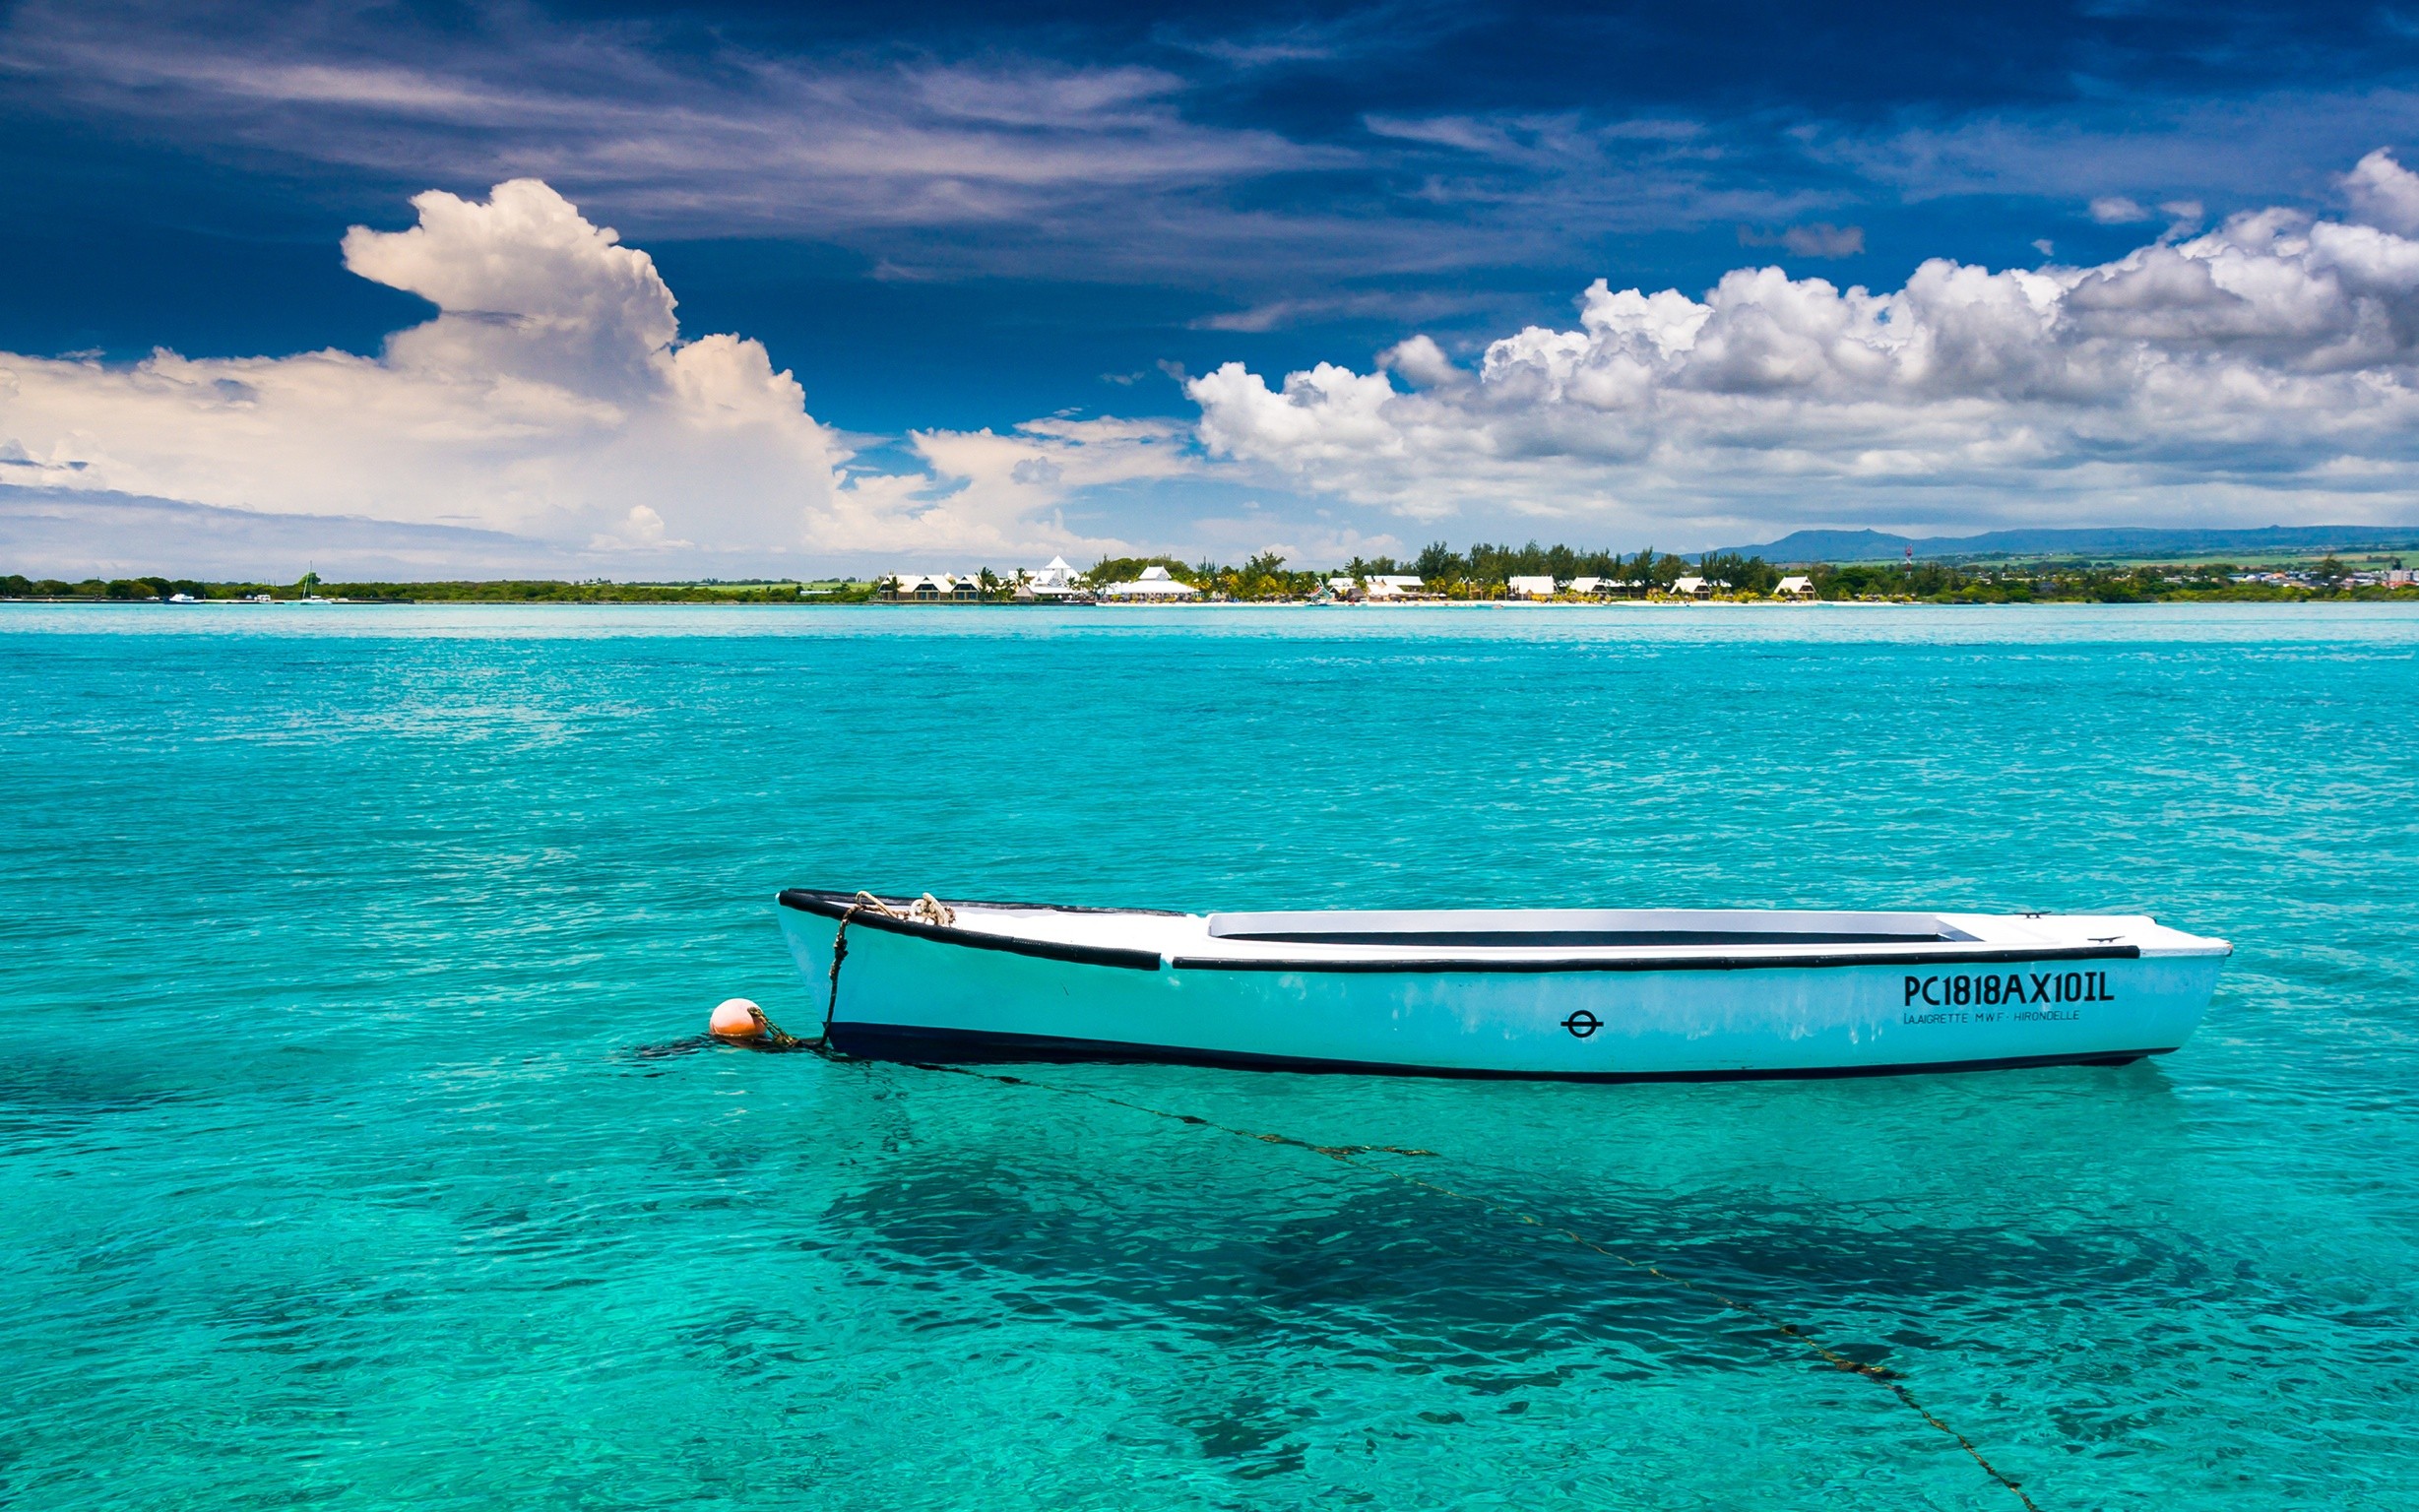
(1581, 996)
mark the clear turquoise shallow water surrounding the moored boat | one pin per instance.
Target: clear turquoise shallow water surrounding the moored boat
(335, 1165)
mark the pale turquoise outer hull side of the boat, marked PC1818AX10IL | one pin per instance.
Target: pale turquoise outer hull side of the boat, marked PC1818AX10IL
(937, 996)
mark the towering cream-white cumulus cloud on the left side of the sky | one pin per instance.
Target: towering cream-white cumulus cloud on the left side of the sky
(550, 400)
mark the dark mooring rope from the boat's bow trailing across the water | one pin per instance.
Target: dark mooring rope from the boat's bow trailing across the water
(1349, 1155)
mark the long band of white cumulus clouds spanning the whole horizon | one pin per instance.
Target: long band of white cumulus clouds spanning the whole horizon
(2253, 374)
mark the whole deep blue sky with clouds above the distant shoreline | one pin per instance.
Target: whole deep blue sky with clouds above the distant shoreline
(962, 221)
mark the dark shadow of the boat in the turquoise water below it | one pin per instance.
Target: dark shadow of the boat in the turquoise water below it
(1416, 1281)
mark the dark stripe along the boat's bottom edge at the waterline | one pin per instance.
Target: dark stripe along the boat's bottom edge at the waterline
(983, 1046)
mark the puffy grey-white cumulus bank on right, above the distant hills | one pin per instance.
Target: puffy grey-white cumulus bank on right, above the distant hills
(2263, 371)
